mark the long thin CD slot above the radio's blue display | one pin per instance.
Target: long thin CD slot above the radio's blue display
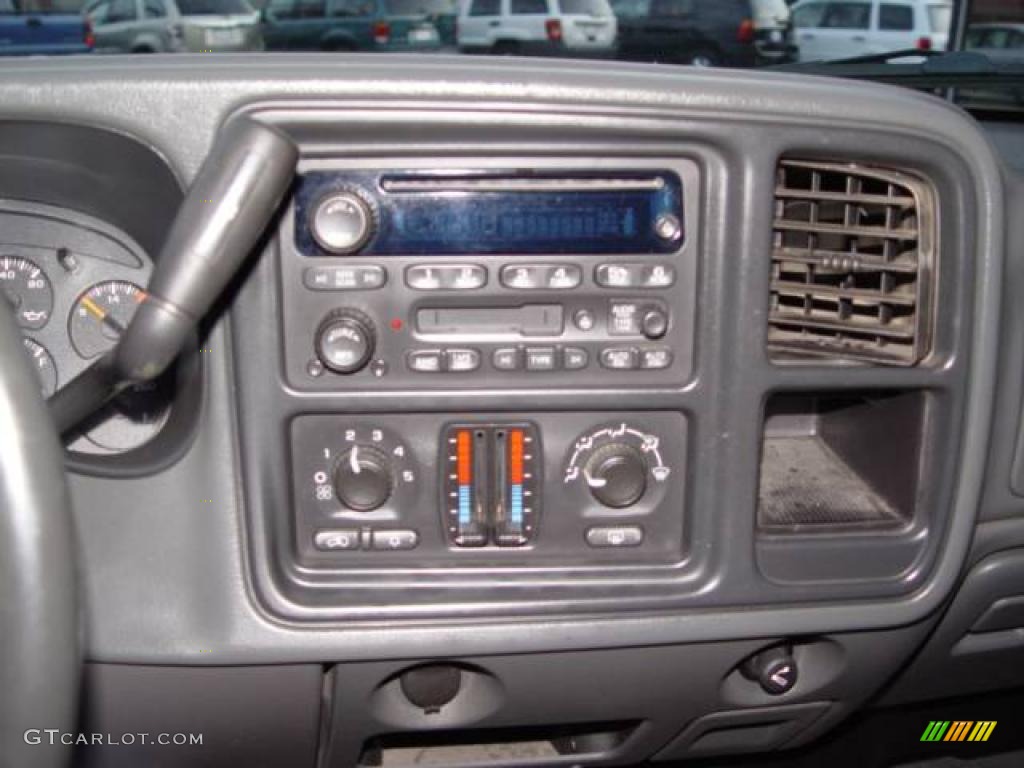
(521, 185)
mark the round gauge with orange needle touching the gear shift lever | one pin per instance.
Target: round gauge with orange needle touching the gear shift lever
(102, 315)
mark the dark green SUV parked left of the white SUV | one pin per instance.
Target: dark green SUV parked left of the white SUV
(360, 25)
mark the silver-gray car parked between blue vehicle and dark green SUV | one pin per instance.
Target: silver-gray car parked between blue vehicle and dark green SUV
(167, 26)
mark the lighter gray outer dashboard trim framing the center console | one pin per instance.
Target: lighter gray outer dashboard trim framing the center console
(182, 566)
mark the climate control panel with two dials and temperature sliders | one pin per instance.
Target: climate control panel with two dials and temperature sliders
(492, 490)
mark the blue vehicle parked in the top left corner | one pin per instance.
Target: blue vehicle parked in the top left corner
(36, 27)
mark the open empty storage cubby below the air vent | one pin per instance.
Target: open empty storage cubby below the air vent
(841, 461)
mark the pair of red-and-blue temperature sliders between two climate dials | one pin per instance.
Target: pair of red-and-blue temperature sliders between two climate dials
(492, 477)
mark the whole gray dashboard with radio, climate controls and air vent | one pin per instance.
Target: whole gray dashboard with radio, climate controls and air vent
(614, 414)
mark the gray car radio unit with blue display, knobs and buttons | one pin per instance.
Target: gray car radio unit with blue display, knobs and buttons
(406, 275)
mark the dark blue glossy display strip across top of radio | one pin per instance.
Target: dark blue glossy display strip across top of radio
(445, 216)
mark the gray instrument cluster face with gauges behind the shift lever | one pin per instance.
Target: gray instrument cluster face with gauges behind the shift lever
(74, 283)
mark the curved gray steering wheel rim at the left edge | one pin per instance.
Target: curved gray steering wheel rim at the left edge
(40, 662)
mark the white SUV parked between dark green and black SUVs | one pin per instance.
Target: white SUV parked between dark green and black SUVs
(538, 27)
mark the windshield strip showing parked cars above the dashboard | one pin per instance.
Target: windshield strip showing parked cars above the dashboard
(735, 34)
